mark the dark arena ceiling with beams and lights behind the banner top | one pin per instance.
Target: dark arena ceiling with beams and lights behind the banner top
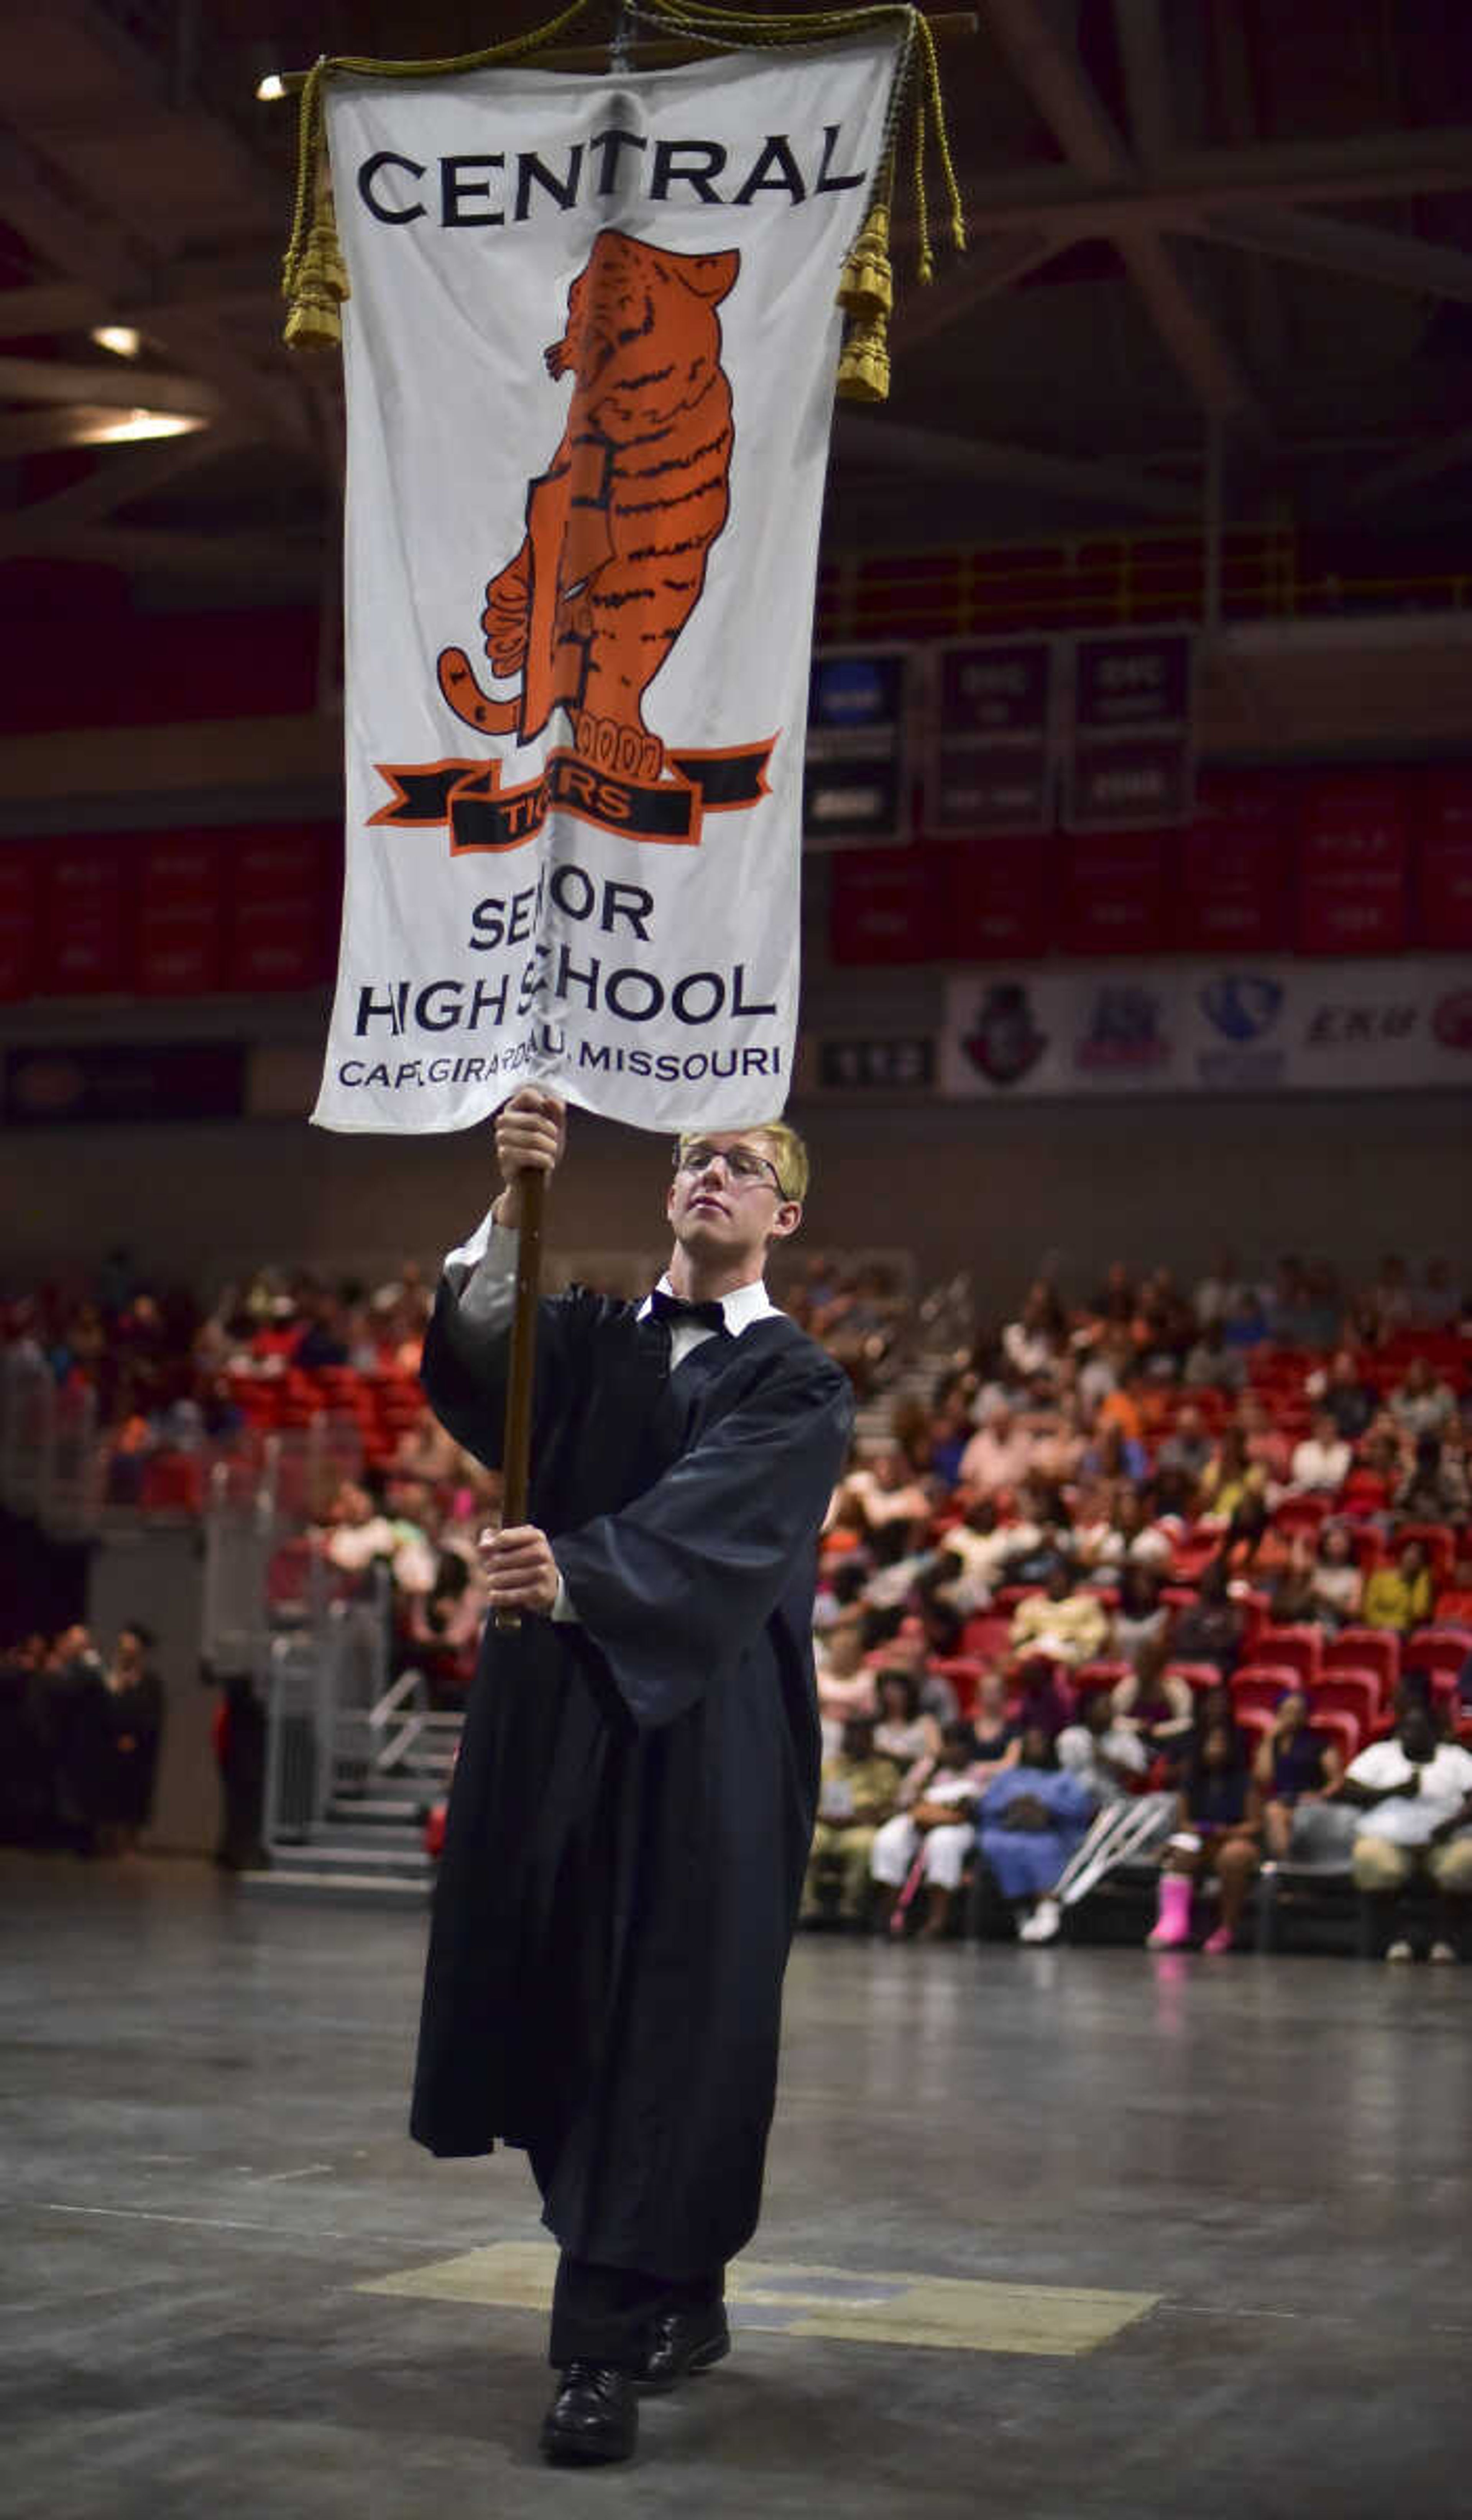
(1196, 226)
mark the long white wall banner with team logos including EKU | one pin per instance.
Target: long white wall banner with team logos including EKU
(1302, 1027)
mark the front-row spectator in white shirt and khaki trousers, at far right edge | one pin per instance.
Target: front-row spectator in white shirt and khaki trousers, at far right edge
(1415, 1803)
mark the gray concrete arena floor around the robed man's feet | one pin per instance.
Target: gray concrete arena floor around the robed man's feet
(205, 2156)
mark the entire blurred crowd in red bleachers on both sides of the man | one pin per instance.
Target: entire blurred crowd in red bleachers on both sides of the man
(1153, 1546)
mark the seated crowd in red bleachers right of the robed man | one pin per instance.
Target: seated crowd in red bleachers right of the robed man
(1204, 1556)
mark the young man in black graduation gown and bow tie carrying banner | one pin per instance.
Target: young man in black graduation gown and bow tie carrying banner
(636, 1785)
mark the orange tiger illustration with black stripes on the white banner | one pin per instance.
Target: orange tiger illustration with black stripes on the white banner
(621, 523)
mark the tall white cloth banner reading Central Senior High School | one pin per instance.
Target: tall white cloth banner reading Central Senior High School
(591, 362)
